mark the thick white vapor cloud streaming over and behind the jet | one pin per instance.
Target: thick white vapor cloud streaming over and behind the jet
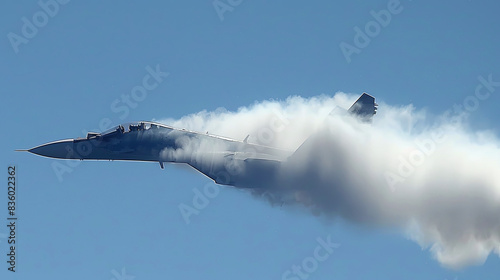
(428, 175)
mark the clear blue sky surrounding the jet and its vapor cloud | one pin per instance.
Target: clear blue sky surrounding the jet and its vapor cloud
(105, 216)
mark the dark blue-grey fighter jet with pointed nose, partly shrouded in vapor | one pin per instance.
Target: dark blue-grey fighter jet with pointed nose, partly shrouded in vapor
(226, 161)
